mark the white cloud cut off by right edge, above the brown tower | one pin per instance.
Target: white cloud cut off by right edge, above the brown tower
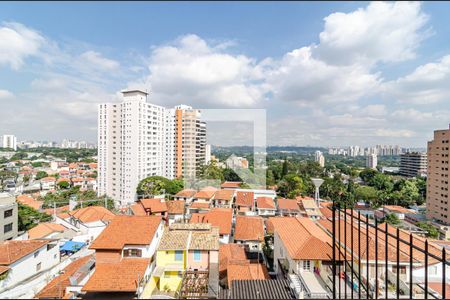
(428, 83)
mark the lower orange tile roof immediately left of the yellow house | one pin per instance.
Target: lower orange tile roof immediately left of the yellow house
(117, 277)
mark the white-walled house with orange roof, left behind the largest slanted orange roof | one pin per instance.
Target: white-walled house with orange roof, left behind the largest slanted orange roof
(89, 221)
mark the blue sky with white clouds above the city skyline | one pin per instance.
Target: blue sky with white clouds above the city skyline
(328, 74)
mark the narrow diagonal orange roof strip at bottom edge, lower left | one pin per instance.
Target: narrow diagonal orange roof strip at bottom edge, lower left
(56, 288)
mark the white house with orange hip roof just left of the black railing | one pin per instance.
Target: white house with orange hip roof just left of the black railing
(302, 251)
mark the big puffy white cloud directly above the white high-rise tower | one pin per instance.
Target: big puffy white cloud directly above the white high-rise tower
(192, 70)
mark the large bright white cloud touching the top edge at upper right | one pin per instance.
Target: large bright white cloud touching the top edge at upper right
(383, 31)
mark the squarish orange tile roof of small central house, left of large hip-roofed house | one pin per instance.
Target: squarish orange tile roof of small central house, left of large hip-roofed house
(249, 228)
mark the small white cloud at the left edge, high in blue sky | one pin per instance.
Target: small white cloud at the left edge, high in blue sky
(18, 42)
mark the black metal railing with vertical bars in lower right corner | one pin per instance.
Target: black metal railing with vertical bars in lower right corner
(404, 254)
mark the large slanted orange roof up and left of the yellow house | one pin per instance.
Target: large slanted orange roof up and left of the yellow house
(127, 230)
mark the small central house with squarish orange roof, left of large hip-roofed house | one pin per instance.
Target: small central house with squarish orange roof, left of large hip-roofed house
(249, 231)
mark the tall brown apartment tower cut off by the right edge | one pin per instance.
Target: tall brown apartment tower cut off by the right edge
(438, 205)
